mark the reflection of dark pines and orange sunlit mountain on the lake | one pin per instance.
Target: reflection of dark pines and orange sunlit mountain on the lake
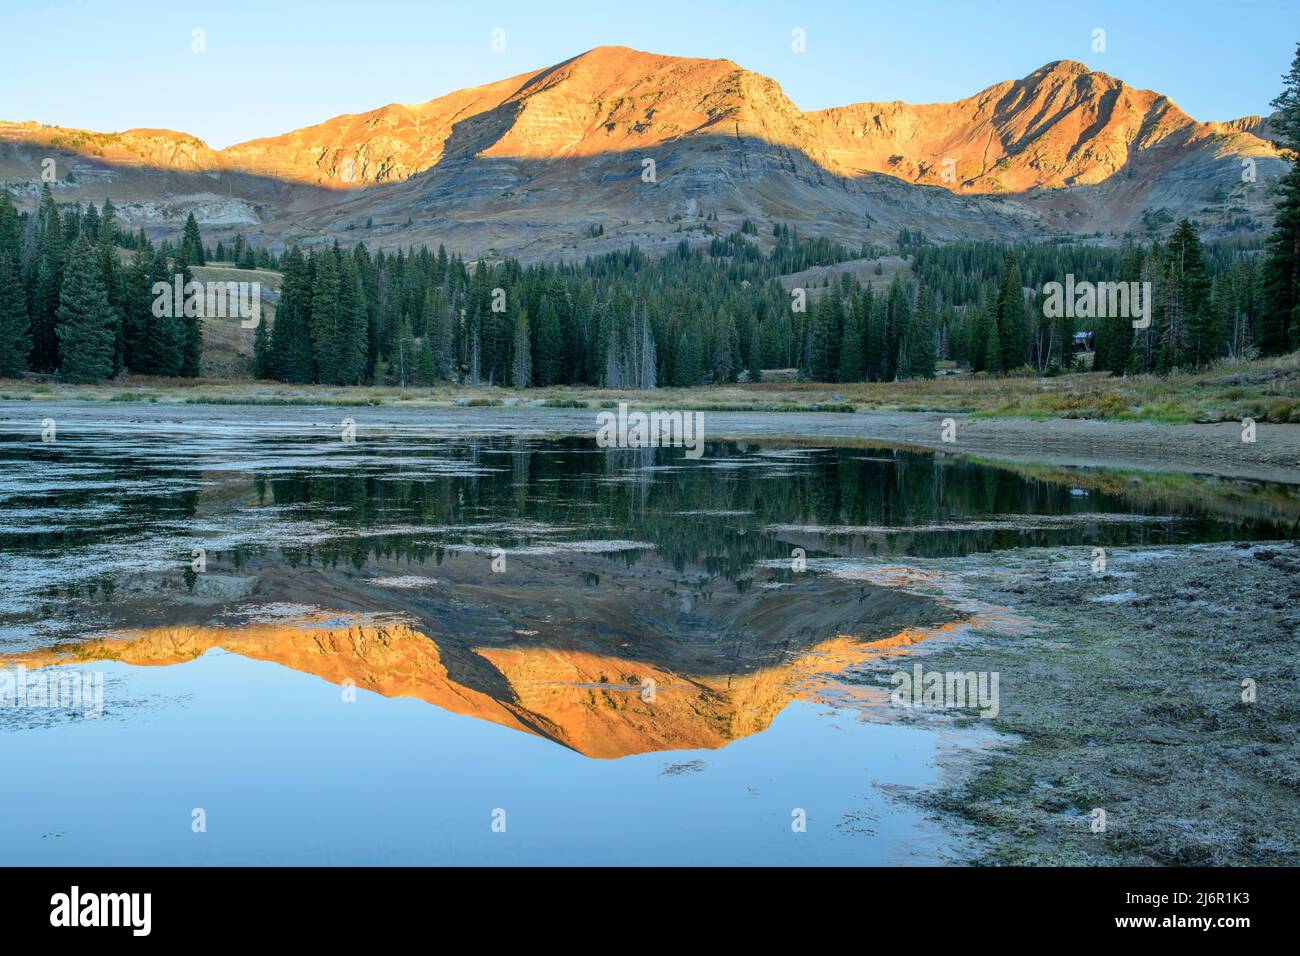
(616, 602)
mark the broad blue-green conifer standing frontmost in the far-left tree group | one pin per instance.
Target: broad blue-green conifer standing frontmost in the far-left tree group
(85, 326)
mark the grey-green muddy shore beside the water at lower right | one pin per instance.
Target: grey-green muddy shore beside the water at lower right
(1132, 698)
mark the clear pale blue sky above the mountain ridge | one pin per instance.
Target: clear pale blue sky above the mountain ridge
(271, 66)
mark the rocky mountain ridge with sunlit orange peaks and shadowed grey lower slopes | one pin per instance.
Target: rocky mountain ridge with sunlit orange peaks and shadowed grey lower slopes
(530, 166)
